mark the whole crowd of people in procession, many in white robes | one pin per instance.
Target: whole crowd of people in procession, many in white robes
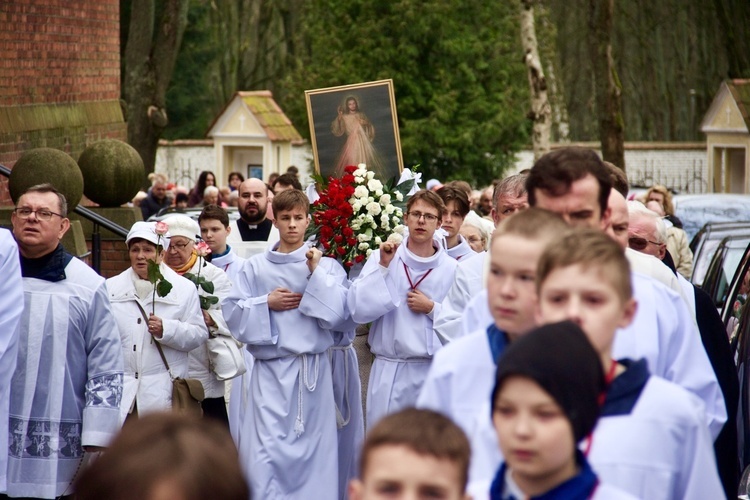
(536, 339)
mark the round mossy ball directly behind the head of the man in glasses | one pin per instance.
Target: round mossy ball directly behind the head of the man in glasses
(47, 165)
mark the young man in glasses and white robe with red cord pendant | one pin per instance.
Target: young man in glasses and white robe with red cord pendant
(400, 291)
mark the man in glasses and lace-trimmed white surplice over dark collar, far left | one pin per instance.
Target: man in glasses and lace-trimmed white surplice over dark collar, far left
(66, 390)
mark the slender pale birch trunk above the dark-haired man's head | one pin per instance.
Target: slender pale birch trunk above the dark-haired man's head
(540, 112)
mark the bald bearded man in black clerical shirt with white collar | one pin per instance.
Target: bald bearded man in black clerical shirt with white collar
(254, 231)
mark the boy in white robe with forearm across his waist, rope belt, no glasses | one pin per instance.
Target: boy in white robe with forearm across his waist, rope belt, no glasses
(285, 307)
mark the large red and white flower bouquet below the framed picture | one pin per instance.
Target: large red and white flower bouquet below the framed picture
(356, 213)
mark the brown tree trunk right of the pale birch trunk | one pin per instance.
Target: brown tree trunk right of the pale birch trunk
(608, 87)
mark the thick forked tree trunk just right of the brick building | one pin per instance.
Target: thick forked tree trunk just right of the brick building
(150, 56)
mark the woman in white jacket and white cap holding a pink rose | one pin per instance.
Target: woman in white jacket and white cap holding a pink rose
(144, 318)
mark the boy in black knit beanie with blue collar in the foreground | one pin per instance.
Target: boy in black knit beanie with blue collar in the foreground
(545, 401)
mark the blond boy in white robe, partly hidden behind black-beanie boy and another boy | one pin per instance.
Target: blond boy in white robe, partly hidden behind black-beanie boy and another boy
(460, 381)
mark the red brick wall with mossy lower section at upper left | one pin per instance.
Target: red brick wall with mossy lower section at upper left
(59, 76)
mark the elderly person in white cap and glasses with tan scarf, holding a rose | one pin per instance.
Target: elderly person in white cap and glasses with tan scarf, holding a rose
(182, 258)
